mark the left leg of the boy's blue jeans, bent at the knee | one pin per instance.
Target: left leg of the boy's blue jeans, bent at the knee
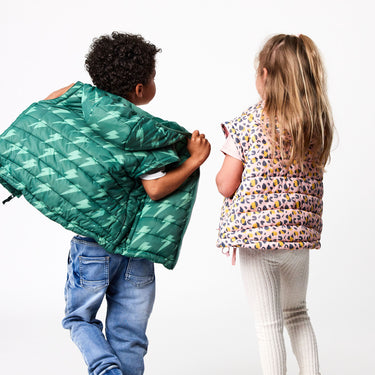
(88, 278)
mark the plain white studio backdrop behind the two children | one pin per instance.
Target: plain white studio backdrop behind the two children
(201, 323)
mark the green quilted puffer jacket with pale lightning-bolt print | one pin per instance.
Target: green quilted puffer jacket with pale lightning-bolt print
(78, 158)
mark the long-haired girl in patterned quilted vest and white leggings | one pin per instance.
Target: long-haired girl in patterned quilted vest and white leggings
(272, 180)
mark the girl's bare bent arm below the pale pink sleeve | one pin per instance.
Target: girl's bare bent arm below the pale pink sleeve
(229, 177)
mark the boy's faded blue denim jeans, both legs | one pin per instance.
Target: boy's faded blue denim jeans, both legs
(129, 287)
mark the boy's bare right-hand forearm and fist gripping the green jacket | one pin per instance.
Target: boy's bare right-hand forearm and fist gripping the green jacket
(199, 149)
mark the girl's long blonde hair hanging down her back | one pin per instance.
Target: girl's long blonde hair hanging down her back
(296, 101)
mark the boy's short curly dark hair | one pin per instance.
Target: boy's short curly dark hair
(118, 62)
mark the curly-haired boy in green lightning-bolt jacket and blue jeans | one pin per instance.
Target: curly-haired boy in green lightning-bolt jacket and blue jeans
(121, 179)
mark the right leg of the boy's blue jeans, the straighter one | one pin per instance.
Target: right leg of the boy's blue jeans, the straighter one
(130, 299)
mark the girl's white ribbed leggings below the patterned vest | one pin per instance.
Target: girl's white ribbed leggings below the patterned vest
(276, 283)
